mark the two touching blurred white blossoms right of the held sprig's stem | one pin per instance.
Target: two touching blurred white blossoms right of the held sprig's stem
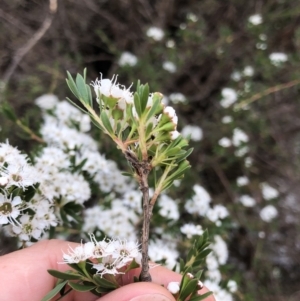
(199, 204)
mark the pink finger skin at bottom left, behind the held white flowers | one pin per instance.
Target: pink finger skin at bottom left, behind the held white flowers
(24, 276)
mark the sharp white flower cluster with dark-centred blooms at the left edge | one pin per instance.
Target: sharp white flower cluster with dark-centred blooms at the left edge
(25, 219)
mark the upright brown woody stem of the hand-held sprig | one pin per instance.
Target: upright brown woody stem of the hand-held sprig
(142, 169)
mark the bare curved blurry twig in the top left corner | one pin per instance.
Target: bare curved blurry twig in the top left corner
(21, 52)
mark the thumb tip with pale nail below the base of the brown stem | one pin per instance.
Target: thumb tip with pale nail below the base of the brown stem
(142, 291)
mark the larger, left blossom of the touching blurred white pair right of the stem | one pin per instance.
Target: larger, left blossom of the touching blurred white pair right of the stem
(199, 203)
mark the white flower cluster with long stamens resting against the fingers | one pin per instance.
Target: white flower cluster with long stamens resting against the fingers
(108, 256)
